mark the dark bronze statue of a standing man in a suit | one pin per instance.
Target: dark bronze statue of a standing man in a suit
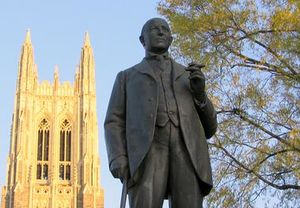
(157, 123)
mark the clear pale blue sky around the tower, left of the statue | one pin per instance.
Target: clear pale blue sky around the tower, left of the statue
(57, 32)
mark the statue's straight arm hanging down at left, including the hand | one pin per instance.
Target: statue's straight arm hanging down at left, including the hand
(115, 125)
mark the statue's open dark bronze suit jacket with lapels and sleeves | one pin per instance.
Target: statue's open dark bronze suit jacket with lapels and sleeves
(131, 117)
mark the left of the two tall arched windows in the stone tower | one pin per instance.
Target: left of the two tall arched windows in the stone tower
(43, 150)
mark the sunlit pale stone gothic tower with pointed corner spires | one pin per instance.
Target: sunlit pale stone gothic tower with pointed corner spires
(53, 159)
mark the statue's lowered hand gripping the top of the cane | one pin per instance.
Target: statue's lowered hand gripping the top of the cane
(119, 168)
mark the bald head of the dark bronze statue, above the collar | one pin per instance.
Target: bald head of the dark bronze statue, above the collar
(156, 36)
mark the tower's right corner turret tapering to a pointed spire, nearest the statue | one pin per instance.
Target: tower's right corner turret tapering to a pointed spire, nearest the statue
(88, 114)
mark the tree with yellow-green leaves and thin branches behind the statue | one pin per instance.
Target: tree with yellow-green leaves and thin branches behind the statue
(251, 50)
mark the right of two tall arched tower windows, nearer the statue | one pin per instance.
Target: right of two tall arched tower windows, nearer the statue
(65, 151)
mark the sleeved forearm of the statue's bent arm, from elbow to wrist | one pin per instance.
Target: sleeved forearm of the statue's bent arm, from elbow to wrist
(208, 116)
